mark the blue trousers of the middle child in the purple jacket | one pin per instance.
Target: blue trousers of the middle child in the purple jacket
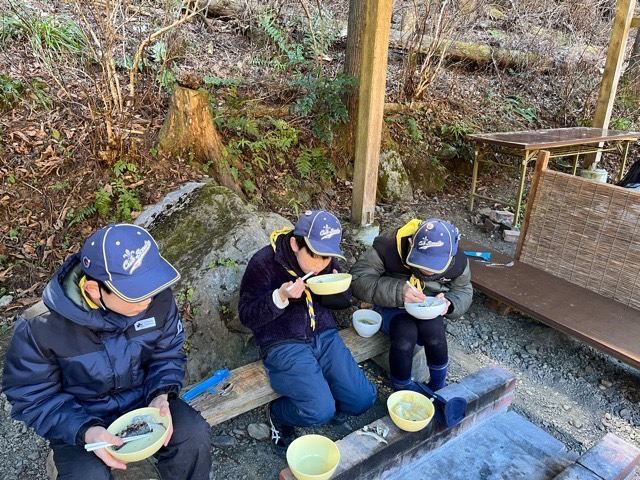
(316, 379)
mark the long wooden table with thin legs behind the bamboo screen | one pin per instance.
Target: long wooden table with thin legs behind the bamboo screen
(561, 142)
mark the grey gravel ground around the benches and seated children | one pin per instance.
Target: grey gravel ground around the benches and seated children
(567, 388)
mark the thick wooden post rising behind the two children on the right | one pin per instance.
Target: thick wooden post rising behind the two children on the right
(371, 90)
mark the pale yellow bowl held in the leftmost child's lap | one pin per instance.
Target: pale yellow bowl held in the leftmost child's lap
(143, 448)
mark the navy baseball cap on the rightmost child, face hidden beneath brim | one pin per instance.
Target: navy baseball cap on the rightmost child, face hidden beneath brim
(434, 246)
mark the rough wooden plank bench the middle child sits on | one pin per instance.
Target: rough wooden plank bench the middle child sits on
(251, 387)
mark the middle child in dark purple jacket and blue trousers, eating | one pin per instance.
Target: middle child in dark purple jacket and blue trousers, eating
(305, 357)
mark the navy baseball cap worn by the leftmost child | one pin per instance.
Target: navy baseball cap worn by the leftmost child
(126, 259)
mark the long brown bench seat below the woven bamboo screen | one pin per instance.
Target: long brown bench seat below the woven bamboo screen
(598, 321)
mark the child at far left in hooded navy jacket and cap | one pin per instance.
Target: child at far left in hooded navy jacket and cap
(110, 342)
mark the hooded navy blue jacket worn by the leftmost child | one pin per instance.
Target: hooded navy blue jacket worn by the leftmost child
(75, 367)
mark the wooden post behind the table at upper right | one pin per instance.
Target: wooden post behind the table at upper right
(612, 68)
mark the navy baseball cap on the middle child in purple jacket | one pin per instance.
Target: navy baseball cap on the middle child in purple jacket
(322, 232)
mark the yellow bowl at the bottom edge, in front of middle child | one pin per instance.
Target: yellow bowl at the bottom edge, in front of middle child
(313, 457)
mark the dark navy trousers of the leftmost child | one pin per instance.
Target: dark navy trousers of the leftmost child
(186, 457)
